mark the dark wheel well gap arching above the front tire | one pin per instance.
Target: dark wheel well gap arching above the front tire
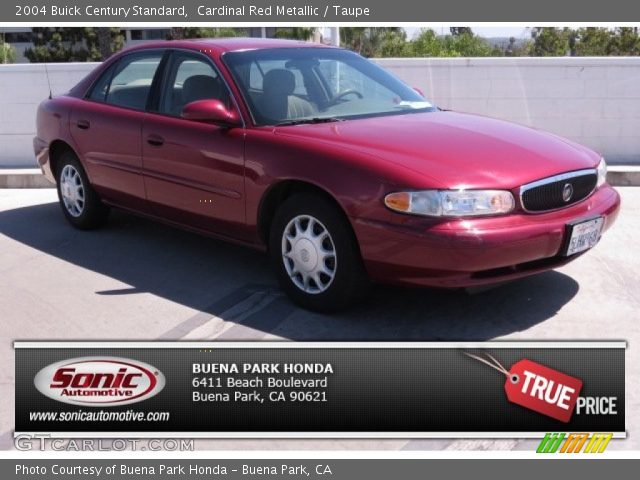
(277, 194)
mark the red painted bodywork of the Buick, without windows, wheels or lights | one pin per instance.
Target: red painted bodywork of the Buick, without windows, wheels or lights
(213, 179)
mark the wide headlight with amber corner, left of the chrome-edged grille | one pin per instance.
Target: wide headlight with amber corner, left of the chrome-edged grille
(451, 203)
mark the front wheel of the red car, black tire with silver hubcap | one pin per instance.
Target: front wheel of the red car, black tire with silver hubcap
(322, 271)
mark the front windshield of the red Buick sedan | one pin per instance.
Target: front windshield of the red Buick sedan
(298, 85)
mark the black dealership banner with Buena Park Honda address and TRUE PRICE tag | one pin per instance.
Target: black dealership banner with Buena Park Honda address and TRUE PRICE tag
(282, 389)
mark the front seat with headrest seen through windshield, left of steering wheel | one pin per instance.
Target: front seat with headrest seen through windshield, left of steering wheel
(278, 102)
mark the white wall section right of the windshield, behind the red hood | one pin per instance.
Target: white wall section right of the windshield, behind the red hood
(594, 101)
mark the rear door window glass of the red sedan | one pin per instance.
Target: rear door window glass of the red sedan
(129, 84)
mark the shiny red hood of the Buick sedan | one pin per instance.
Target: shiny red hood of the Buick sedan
(453, 150)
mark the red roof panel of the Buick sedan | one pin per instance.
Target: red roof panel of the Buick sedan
(221, 45)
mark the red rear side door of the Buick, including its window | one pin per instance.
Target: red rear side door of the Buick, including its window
(107, 127)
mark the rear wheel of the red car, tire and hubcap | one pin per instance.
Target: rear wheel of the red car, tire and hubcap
(80, 204)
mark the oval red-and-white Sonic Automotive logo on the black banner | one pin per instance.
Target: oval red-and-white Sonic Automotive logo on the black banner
(99, 381)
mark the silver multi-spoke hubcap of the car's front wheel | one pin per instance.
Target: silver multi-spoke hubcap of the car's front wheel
(309, 254)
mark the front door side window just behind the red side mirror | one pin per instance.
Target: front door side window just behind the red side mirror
(190, 79)
